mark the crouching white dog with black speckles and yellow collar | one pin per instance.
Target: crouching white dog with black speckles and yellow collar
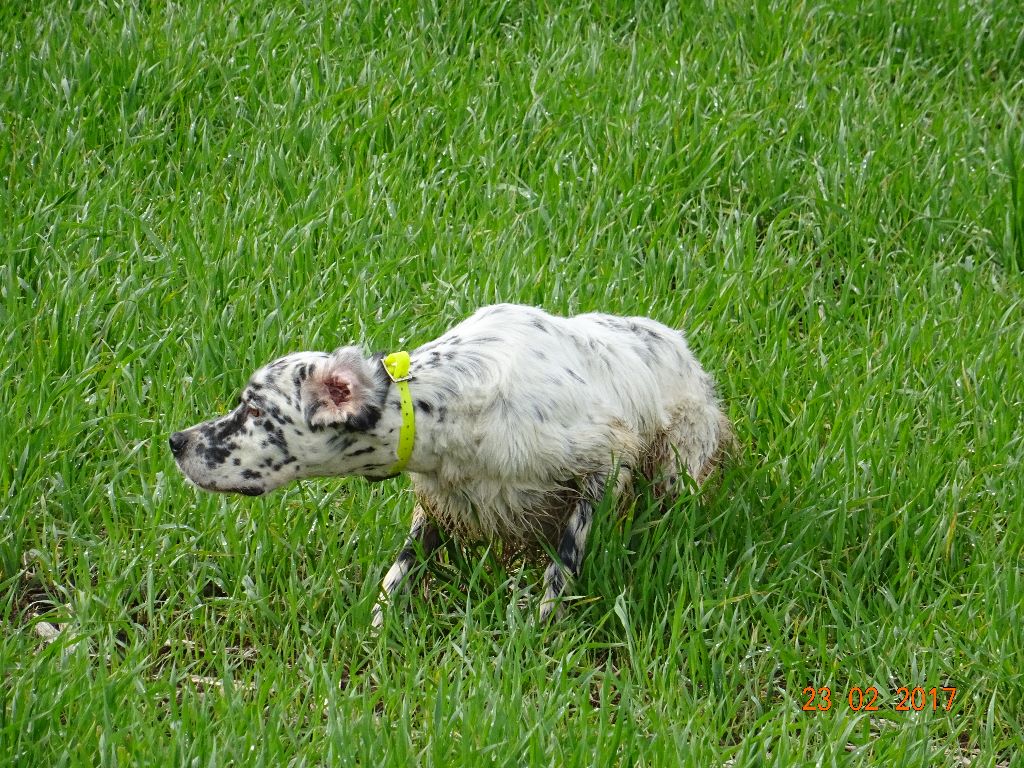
(524, 422)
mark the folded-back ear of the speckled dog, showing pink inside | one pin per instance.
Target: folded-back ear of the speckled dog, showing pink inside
(338, 390)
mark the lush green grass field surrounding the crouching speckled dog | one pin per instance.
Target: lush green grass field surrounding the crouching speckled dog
(828, 196)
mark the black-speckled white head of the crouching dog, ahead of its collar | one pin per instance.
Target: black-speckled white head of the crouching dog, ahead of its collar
(306, 415)
